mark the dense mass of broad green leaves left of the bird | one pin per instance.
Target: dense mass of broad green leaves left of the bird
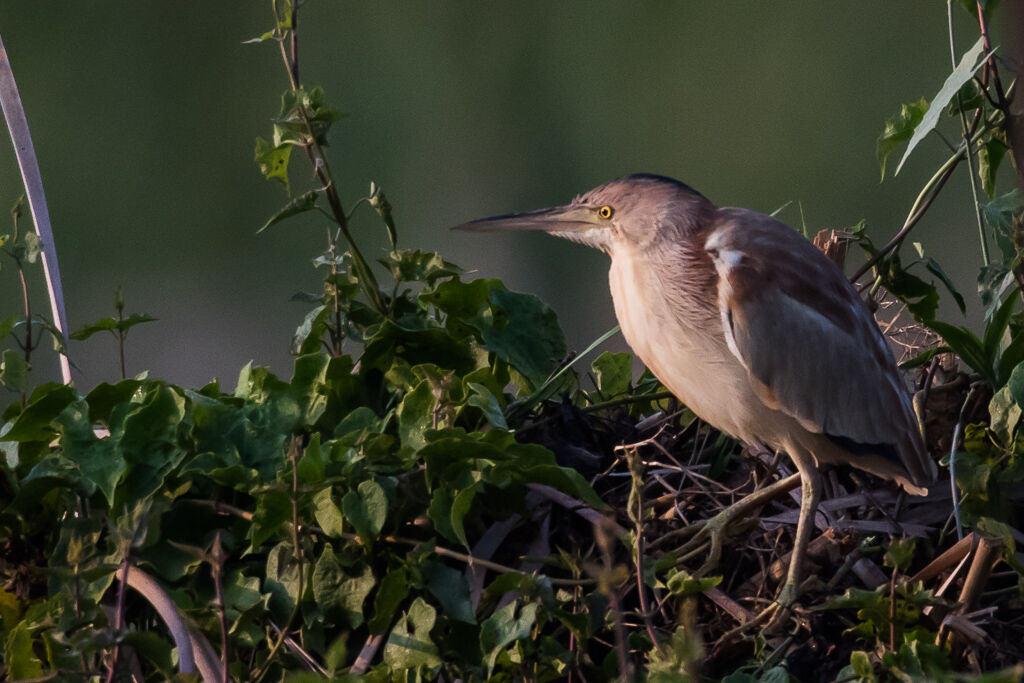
(329, 496)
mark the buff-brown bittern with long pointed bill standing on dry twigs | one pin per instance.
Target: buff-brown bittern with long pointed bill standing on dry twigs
(752, 328)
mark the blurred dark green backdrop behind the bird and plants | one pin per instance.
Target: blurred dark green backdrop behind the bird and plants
(145, 113)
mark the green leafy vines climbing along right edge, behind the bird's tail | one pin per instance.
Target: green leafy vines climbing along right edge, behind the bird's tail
(973, 101)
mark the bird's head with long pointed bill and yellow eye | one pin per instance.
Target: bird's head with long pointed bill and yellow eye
(638, 211)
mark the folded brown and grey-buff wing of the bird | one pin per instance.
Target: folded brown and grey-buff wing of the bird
(809, 343)
